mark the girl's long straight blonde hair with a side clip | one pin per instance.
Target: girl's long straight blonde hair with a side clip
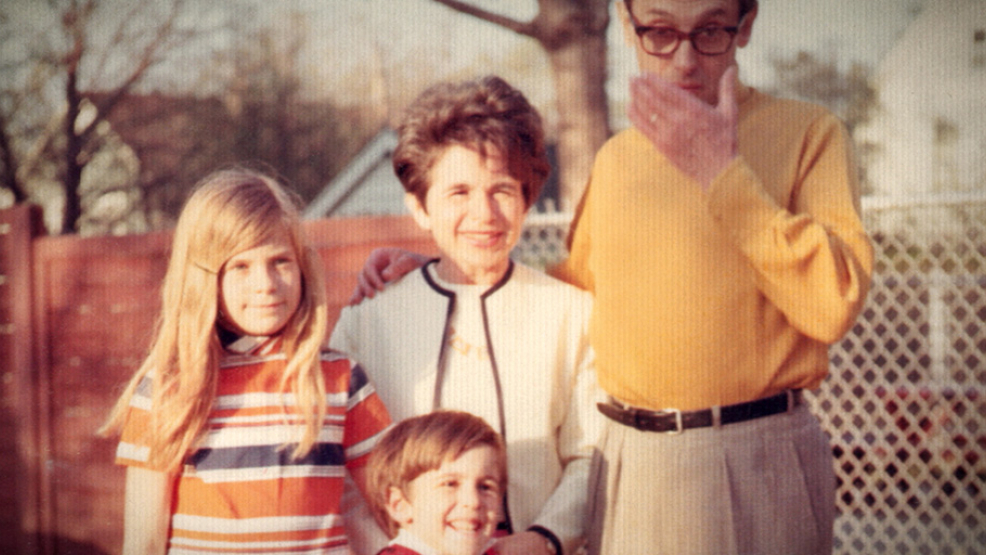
(230, 211)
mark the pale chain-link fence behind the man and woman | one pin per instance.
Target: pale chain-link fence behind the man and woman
(905, 403)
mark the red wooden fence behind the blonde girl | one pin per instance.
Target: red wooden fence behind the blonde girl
(75, 319)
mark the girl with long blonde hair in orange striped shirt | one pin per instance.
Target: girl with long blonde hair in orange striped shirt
(238, 426)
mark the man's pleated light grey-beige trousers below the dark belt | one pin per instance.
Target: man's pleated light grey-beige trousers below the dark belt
(761, 487)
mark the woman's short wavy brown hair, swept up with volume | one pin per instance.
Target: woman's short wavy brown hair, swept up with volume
(479, 115)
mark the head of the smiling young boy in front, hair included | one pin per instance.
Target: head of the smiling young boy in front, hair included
(436, 485)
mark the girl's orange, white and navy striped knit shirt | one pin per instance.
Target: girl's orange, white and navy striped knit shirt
(240, 490)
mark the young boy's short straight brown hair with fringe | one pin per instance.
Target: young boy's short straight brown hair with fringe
(420, 444)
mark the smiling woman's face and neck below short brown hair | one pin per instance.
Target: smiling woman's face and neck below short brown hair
(475, 211)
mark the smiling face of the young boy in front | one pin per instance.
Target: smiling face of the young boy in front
(456, 507)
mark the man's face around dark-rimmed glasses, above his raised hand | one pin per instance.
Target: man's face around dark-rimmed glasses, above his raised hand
(696, 73)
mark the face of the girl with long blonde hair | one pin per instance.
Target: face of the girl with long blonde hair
(260, 288)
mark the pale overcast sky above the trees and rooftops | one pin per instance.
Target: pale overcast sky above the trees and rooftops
(350, 40)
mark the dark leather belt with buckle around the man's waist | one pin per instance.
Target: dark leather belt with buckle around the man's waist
(676, 421)
